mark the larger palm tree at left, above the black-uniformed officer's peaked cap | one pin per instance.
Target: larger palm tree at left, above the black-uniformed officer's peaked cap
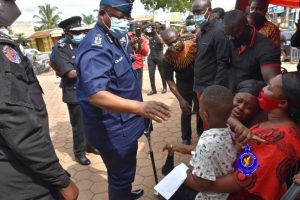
(48, 17)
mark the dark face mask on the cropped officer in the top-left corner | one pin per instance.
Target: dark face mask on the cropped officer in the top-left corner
(9, 12)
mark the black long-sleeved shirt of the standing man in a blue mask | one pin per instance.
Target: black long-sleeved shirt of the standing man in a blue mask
(213, 55)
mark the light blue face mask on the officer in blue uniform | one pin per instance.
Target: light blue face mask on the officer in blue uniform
(119, 27)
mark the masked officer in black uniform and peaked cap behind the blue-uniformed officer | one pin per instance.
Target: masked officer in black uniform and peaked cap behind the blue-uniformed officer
(64, 58)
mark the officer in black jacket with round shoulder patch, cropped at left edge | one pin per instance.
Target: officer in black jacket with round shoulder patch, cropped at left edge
(29, 167)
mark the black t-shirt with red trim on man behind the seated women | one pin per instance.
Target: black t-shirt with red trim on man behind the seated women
(246, 64)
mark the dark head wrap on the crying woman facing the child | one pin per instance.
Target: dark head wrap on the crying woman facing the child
(250, 86)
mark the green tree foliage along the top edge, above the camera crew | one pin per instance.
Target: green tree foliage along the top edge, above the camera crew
(174, 5)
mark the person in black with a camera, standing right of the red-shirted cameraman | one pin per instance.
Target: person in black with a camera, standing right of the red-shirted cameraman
(152, 31)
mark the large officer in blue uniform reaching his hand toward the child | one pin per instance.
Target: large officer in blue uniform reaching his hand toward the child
(108, 91)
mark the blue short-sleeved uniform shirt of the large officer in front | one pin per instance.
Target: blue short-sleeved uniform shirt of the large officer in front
(103, 65)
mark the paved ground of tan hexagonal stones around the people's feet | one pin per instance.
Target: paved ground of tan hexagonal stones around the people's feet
(92, 180)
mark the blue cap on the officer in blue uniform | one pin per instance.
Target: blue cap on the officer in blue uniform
(125, 6)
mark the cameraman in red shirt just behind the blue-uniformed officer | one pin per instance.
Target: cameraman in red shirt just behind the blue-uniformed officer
(140, 49)
